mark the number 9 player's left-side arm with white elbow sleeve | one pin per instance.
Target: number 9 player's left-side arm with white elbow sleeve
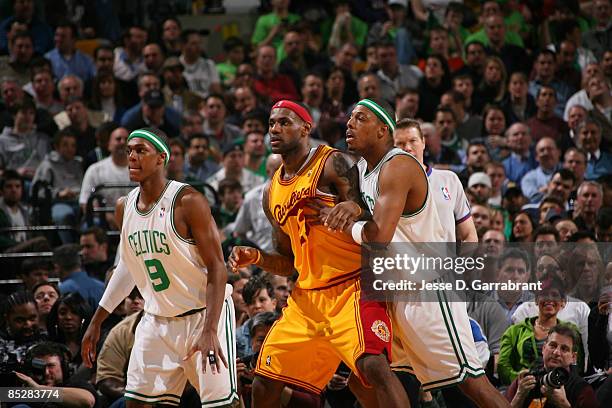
(118, 288)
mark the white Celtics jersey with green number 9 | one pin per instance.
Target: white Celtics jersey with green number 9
(166, 268)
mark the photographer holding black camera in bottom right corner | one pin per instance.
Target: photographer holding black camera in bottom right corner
(556, 385)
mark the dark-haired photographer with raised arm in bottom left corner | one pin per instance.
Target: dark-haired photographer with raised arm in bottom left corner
(47, 368)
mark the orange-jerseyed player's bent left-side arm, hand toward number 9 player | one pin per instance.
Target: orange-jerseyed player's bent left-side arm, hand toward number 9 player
(280, 262)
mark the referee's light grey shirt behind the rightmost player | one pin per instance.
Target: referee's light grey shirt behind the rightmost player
(450, 200)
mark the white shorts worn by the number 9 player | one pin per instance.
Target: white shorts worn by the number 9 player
(157, 373)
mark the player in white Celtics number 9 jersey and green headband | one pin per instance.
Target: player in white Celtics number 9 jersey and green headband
(170, 250)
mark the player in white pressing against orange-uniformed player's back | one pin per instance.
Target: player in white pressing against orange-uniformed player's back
(395, 189)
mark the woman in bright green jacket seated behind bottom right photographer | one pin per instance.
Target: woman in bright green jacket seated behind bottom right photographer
(521, 344)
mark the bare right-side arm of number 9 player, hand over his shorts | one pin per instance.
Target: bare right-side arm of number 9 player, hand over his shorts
(199, 220)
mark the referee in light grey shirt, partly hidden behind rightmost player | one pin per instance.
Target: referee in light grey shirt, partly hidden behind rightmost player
(447, 191)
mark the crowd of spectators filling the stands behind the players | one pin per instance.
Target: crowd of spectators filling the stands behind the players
(514, 97)
